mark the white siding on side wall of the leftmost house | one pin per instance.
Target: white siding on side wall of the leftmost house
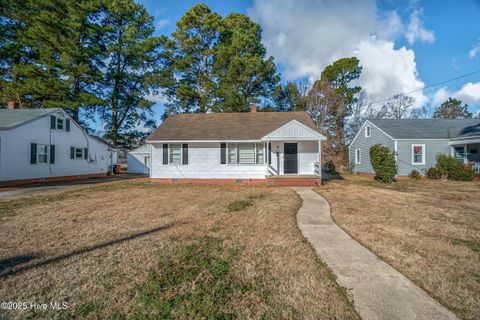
(15, 151)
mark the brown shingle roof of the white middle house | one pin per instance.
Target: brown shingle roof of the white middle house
(226, 126)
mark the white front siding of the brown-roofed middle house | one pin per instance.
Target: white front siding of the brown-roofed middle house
(204, 162)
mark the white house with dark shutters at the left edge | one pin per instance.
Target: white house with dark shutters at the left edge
(46, 144)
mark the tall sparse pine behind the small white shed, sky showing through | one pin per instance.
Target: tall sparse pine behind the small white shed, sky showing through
(131, 69)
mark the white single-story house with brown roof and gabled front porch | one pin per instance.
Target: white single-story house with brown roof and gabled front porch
(281, 148)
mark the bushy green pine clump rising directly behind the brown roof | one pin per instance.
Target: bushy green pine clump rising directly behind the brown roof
(216, 64)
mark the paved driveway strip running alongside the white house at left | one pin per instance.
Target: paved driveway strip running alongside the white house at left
(27, 190)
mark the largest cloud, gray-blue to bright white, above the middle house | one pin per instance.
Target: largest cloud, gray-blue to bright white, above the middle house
(306, 35)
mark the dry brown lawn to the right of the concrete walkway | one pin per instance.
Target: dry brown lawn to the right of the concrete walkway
(428, 230)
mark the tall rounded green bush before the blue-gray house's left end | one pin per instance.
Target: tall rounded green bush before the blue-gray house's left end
(383, 162)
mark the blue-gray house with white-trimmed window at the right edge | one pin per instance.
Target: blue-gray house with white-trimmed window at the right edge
(417, 142)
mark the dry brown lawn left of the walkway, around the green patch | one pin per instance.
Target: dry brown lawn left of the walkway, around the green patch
(96, 247)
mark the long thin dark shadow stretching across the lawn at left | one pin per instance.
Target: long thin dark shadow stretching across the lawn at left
(10, 263)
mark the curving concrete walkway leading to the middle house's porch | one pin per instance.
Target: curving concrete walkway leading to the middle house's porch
(379, 291)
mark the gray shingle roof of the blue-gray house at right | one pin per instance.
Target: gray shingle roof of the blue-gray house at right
(429, 128)
